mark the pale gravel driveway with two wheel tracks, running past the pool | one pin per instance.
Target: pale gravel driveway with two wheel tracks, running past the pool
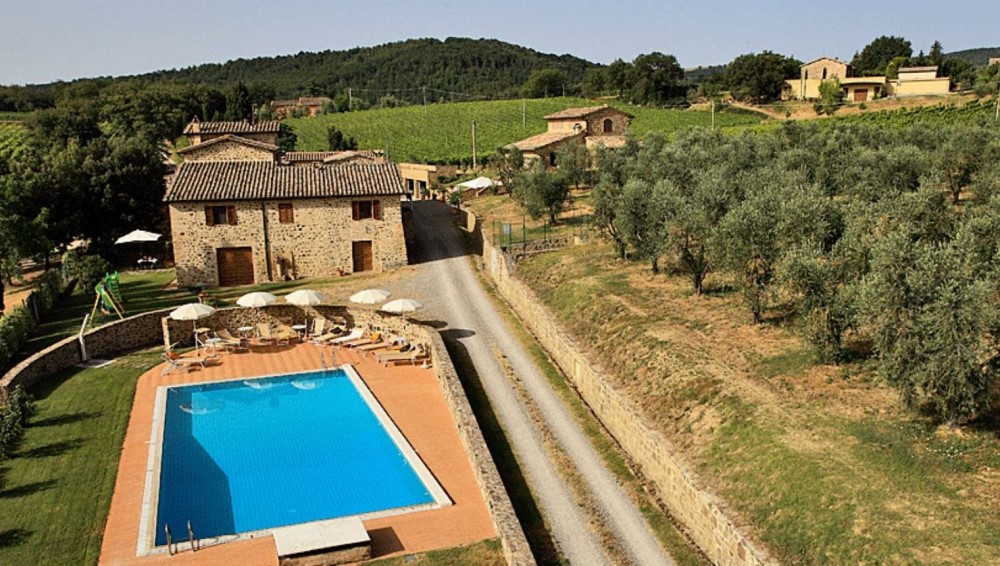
(451, 287)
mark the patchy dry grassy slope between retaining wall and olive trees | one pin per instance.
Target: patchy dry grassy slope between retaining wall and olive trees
(817, 458)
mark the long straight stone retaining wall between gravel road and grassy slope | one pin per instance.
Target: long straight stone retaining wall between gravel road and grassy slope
(702, 514)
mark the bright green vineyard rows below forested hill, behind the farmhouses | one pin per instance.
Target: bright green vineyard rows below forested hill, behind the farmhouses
(442, 133)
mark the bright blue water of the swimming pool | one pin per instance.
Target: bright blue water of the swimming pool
(249, 455)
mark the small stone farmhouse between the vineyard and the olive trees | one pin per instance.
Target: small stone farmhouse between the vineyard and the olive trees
(593, 126)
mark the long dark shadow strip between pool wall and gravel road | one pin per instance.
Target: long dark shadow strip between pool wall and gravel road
(539, 538)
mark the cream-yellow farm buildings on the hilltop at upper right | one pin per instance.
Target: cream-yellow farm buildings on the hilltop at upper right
(911, 81)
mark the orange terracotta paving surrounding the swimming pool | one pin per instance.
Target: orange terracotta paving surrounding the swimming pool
(411, 396)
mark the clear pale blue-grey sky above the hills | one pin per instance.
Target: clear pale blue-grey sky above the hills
(47, 40)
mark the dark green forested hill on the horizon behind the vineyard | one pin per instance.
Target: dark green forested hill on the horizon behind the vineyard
(451, 70)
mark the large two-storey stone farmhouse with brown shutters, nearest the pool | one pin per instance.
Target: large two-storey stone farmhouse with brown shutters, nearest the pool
(242, 212)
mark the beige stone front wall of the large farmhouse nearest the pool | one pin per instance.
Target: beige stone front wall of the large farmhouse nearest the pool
(318, 242)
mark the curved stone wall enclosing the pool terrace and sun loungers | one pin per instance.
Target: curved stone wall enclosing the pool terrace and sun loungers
(155, 327)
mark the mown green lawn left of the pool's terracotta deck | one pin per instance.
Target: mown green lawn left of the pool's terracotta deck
(55, 493)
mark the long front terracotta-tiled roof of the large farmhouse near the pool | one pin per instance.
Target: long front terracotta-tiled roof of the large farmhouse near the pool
(257, 180)
